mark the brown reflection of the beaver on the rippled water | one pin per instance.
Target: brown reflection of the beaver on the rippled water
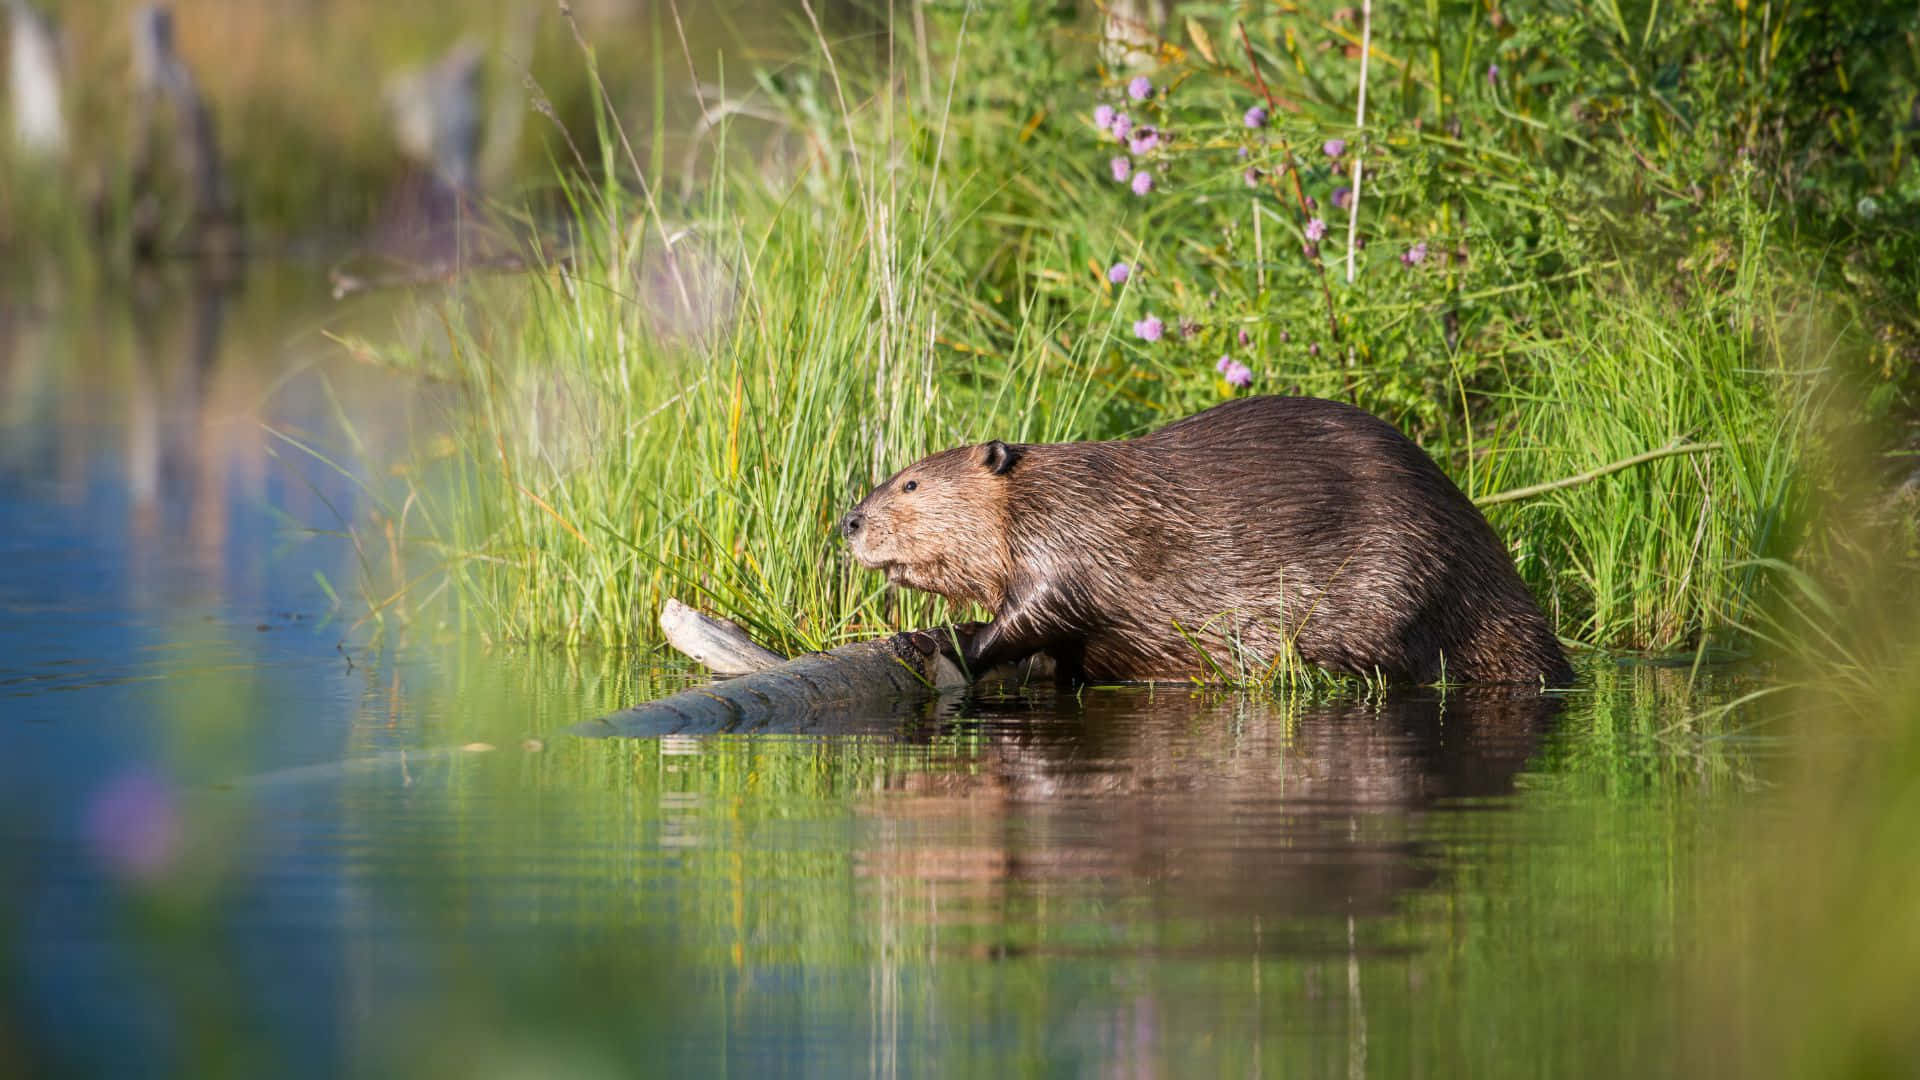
(1226, 806)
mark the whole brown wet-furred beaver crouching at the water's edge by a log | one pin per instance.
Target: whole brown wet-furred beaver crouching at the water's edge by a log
(1253, 529)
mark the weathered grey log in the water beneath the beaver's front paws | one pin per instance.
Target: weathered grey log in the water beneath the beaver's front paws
(861, 687)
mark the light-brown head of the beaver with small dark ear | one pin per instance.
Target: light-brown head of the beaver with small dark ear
(942, 524)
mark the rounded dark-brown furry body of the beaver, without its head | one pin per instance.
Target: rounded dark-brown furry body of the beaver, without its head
(1274, 524)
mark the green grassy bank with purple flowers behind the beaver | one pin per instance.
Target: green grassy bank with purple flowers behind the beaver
(1564, 253)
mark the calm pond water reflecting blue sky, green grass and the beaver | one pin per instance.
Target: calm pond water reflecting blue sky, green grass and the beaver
(249, 835)
